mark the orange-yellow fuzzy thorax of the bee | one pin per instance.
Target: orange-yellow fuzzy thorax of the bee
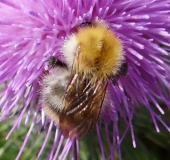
(100, 52)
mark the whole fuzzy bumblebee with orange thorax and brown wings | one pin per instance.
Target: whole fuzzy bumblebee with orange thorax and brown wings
(93, 56)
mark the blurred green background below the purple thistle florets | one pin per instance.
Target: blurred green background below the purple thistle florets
(150, 144)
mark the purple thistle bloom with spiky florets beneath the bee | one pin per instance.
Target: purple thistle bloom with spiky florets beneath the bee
(31, 32)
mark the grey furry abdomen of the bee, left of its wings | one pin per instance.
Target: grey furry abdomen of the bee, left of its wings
(54, 86)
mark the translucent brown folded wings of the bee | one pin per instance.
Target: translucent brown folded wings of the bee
(82, 104)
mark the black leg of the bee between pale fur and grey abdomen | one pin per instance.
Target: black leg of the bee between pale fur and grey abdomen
(54, 62)
